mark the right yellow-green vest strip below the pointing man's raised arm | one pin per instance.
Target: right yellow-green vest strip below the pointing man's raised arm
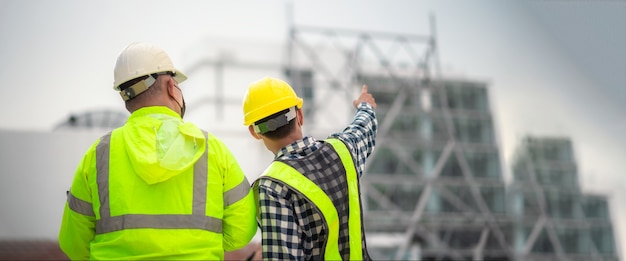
(354, 220)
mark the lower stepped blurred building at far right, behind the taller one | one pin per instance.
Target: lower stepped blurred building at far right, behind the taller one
(557, 217)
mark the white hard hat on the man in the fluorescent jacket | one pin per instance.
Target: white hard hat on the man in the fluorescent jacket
(140, 59)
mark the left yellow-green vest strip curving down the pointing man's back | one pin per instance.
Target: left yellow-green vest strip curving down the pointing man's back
(284, 173)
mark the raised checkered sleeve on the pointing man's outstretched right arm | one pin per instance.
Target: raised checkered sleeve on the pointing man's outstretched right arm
(360, 135)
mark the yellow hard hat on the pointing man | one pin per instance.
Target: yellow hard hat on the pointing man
(266, 97)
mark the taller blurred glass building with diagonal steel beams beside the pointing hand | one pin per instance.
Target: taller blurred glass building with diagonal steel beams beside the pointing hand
(436, 168)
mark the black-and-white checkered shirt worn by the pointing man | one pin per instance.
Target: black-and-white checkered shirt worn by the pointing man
(292, 227)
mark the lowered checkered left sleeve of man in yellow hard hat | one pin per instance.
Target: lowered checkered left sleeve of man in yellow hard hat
(280, 231)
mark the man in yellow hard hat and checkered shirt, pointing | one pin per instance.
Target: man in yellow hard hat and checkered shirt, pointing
(308, 199)
